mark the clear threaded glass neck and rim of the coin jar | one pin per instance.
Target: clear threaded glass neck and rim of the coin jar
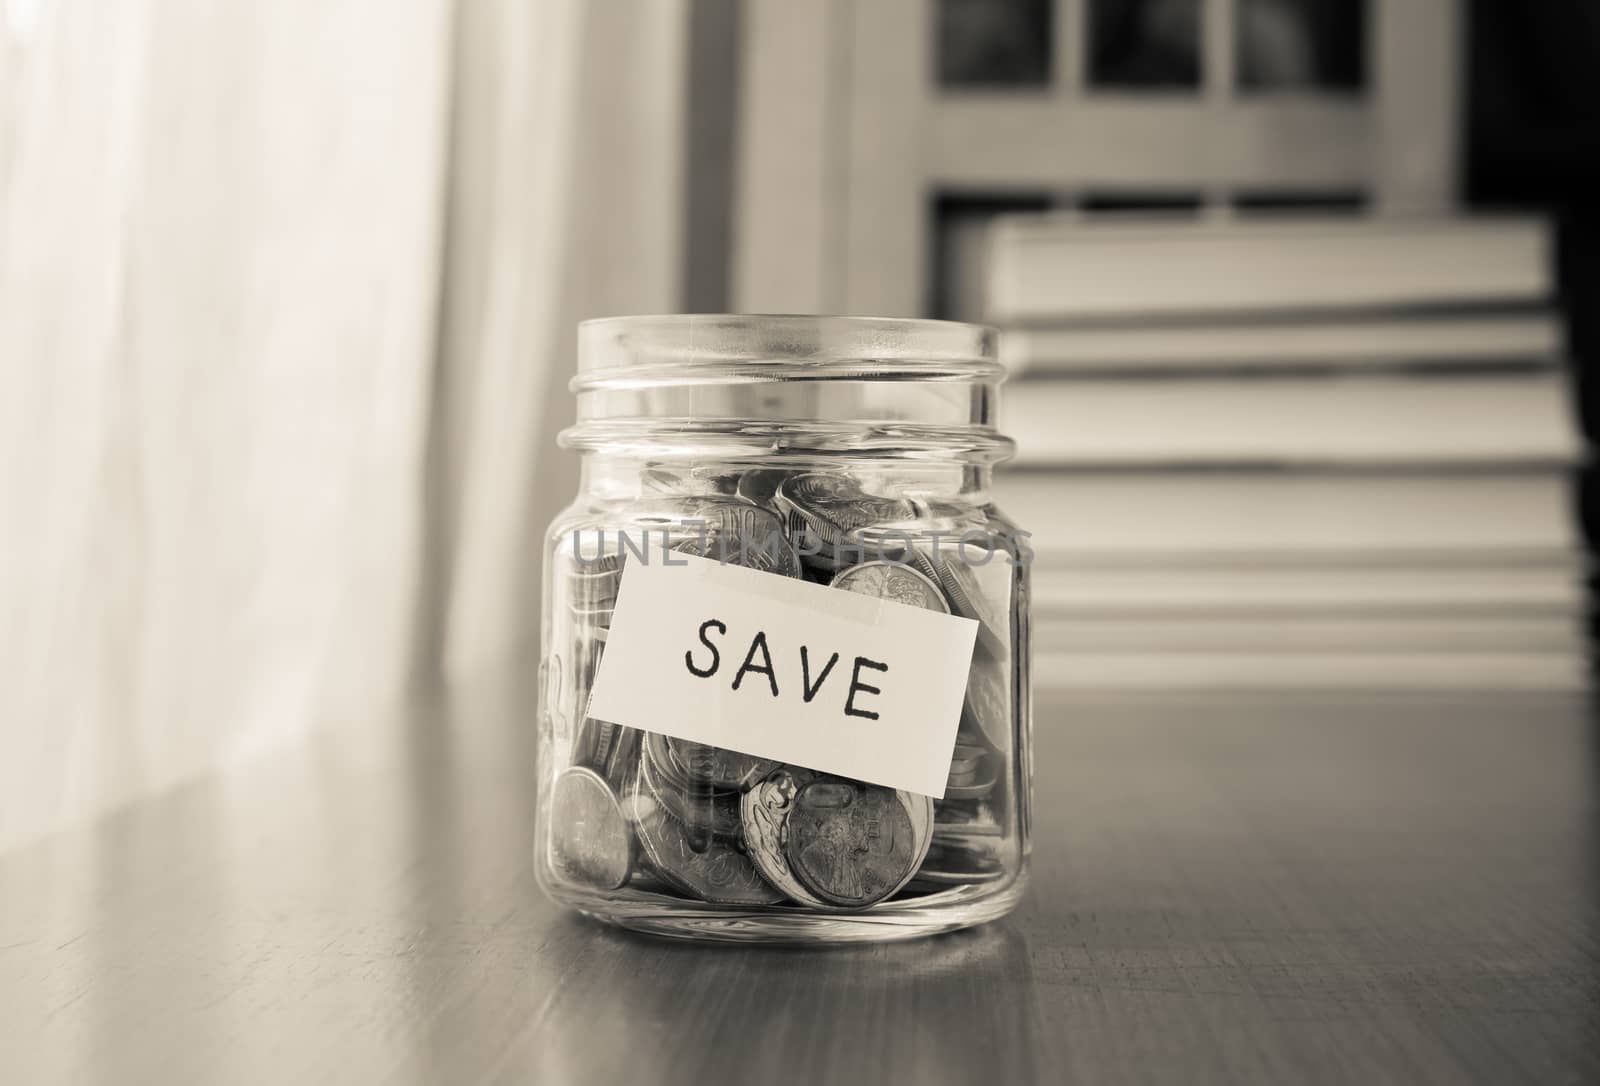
(742, 377)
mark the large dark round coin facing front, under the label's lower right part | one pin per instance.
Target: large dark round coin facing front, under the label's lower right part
(854, 844)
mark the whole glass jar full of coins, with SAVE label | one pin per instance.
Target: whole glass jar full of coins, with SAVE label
(850, 457)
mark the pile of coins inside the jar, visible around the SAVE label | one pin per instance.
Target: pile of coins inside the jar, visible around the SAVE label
(639, 812)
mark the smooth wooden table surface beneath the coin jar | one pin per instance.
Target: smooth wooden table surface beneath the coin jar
(1302, 888)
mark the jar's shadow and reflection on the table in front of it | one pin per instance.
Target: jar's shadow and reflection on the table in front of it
(954, 1007)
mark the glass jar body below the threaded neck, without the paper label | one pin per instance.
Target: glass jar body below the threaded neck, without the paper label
(655, 834)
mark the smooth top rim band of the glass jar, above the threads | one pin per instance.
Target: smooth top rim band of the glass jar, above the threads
(783, 345)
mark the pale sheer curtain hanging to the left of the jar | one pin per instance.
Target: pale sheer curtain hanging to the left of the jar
(286, 316)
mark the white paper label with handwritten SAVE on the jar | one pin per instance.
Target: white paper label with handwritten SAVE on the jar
(785, 669)
